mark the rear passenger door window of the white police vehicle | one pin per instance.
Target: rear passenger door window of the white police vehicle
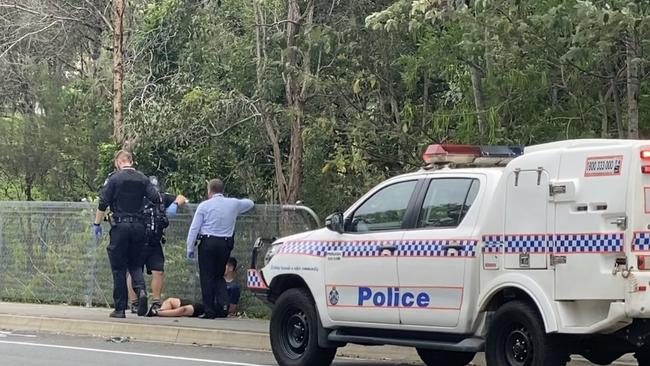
(447, 201)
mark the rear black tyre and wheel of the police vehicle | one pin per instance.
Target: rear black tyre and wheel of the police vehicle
(516, 337)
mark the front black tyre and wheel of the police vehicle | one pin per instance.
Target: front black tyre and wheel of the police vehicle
(294, 331)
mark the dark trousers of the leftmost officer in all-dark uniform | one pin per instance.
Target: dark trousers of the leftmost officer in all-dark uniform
(125, 254)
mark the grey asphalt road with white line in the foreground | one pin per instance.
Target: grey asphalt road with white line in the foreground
(18, 349)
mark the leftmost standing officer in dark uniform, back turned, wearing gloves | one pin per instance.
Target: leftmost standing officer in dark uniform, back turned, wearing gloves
(123, 192)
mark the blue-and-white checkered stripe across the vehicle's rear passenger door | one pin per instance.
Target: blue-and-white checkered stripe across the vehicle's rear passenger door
(436, 248)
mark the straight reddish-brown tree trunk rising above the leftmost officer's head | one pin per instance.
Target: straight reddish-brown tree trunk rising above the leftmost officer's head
(118, 69)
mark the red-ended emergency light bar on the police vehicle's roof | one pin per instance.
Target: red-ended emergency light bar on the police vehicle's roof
(471, 155)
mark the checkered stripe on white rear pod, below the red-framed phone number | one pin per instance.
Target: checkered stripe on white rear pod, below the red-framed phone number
(588, 243)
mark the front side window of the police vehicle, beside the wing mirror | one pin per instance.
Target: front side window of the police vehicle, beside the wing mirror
(385, 210)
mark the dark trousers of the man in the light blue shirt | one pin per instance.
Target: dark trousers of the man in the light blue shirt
(213, 256)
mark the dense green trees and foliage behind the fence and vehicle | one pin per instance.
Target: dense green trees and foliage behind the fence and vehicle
(384, 79)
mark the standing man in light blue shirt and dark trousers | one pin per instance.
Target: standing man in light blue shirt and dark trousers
(214, 226)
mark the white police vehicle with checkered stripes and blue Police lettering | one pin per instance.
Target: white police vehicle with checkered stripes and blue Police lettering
(543, 257)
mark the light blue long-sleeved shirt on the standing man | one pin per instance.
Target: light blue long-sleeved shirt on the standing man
(216, 217)
